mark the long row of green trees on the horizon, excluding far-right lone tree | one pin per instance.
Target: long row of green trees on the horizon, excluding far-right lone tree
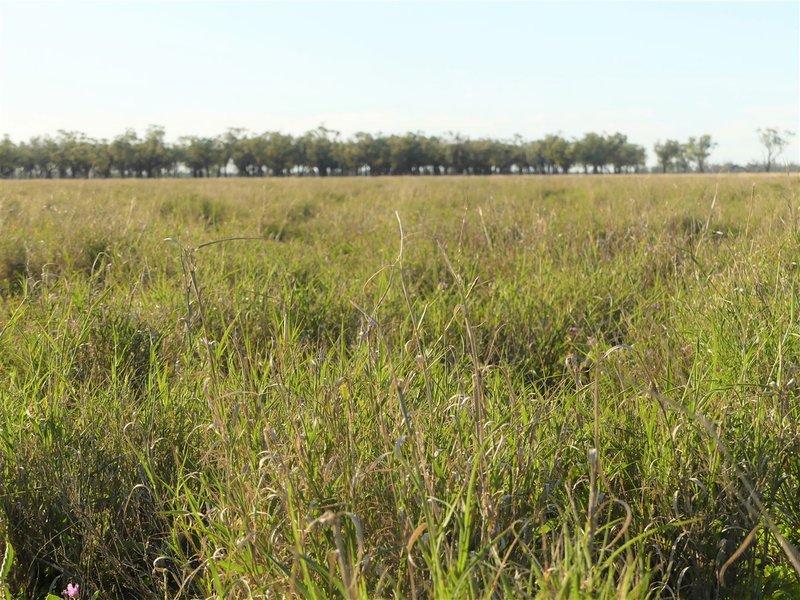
(324, 152)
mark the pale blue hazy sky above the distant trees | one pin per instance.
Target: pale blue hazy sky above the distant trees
(651, 70)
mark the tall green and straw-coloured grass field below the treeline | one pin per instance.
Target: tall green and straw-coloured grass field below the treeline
(413, 387)
